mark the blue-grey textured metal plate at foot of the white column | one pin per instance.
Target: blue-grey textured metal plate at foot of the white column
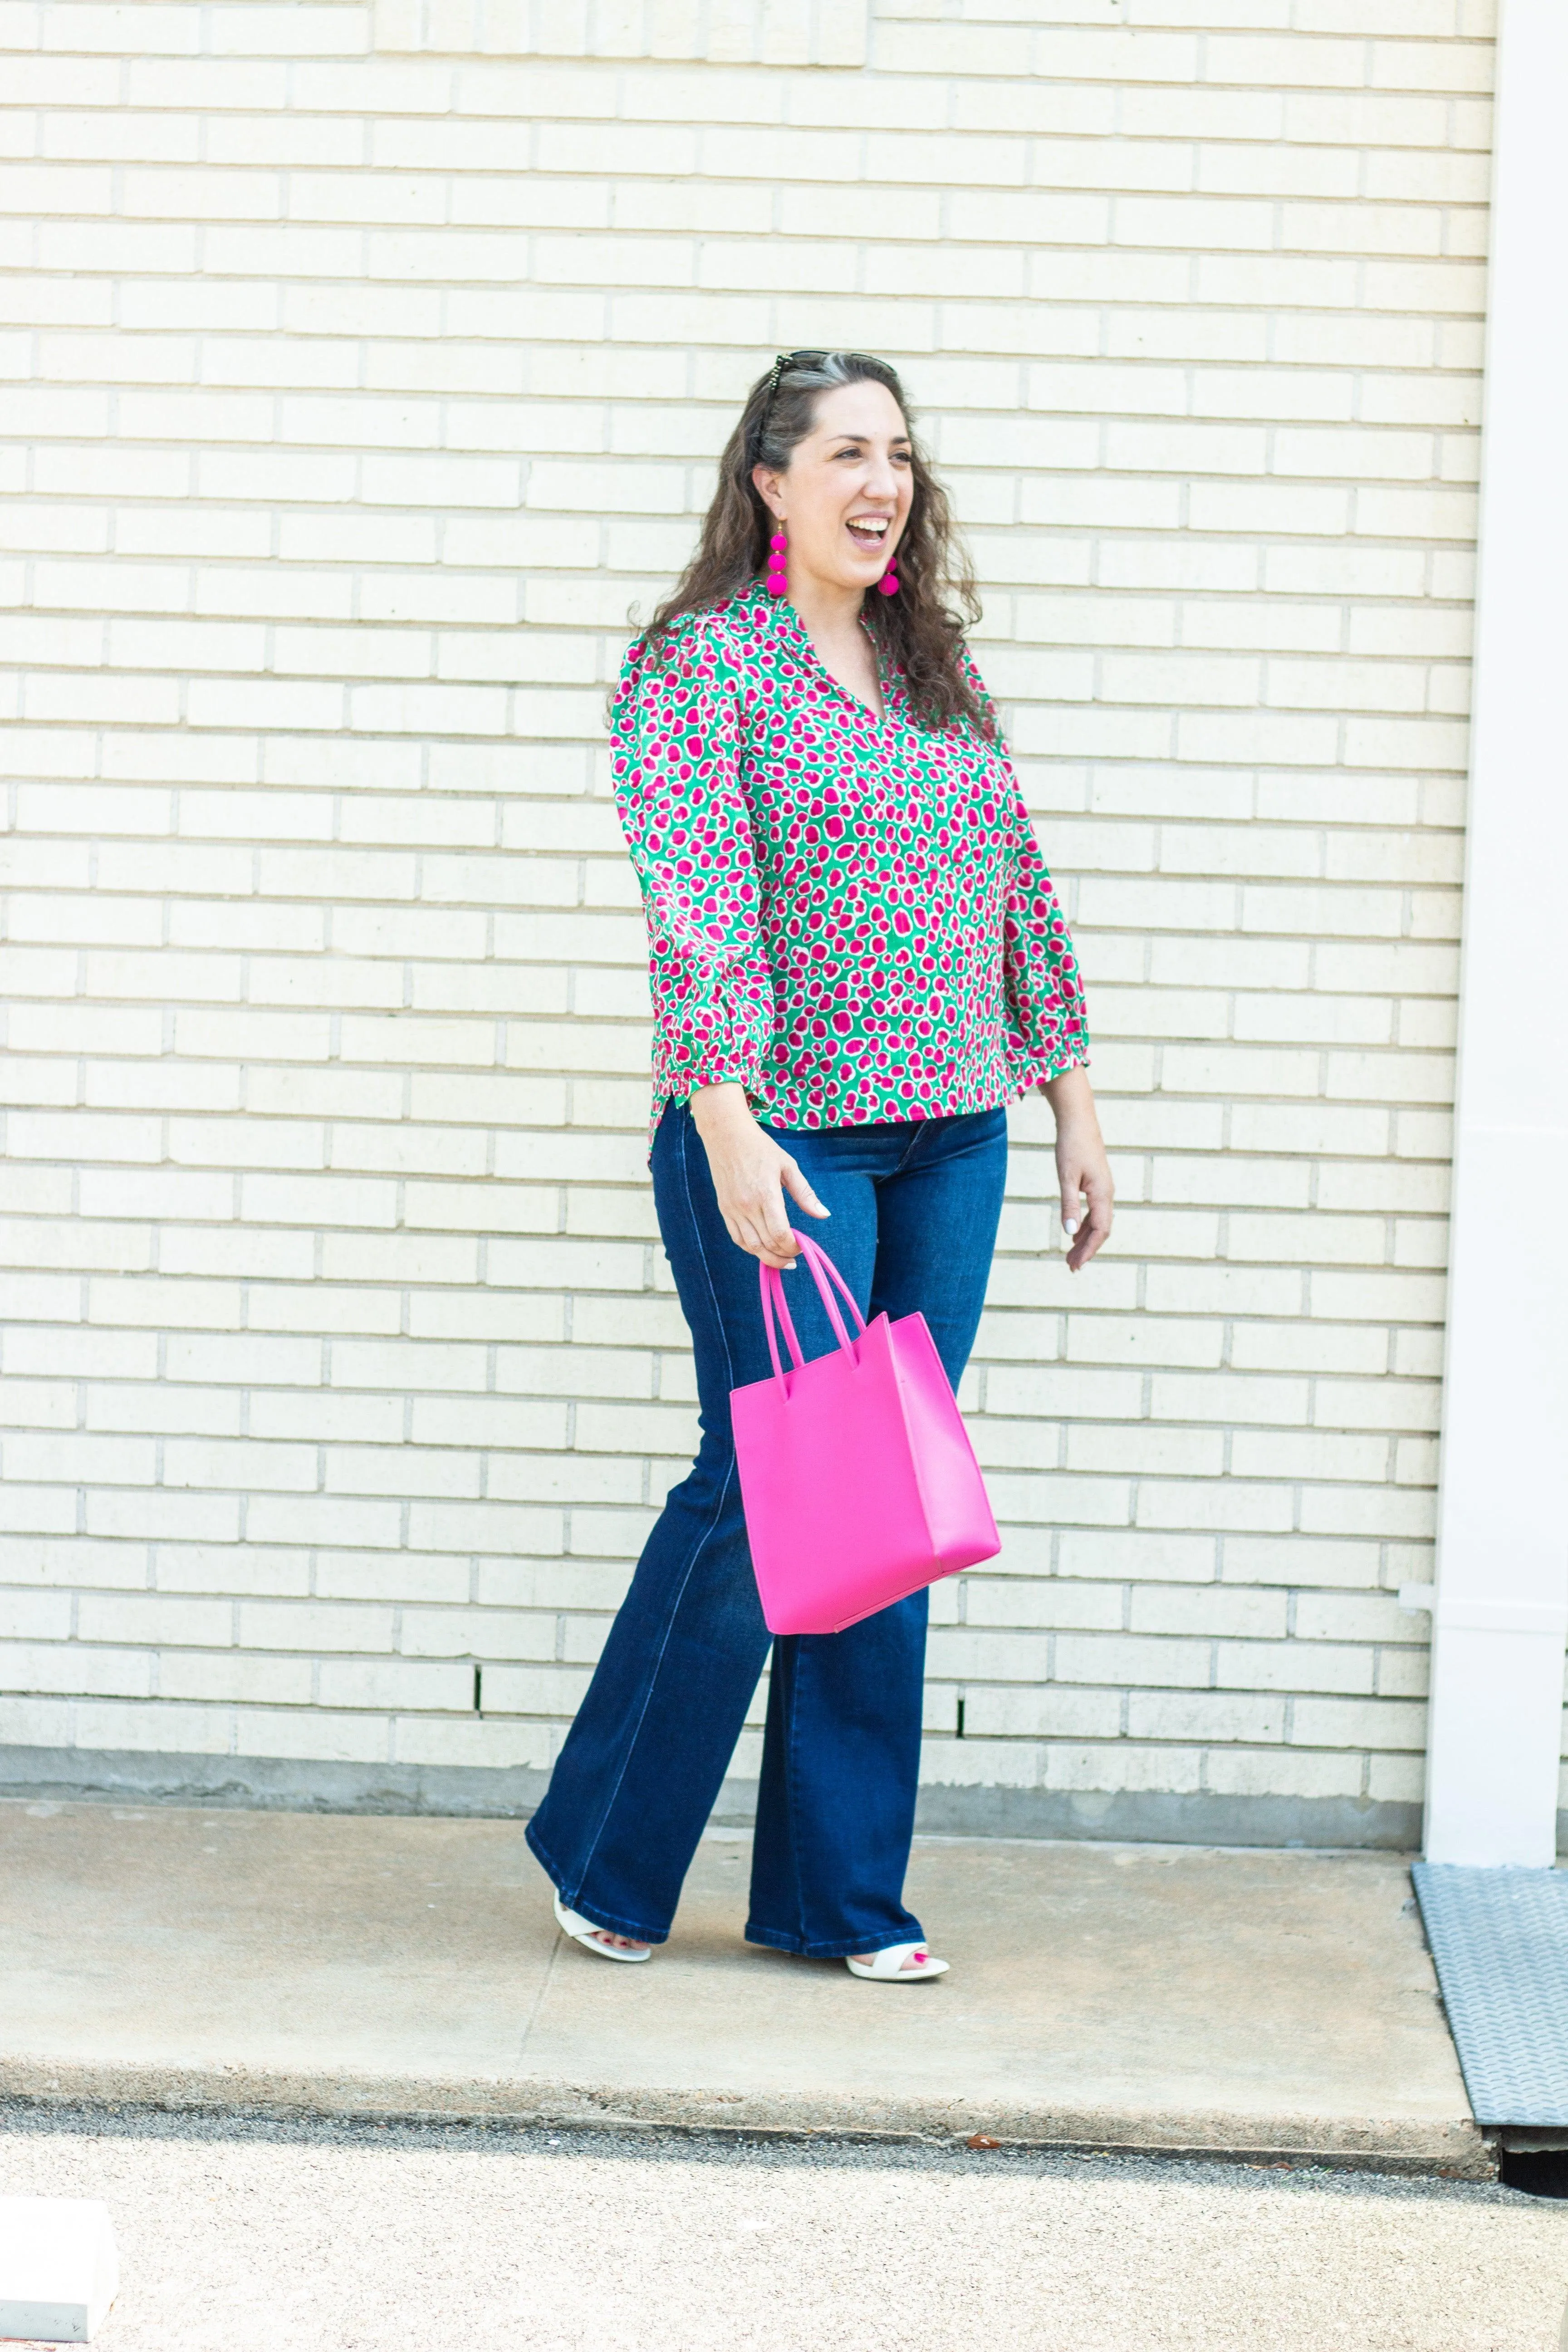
(1501, 1949)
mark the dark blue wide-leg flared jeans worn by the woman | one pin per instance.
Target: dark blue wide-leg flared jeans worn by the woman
(916, 1210)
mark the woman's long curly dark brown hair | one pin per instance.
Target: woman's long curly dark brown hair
(913, 629)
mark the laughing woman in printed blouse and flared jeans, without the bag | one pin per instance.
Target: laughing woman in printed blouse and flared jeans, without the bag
(857, 961)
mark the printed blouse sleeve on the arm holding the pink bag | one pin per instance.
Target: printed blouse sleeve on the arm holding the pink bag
(676, 761)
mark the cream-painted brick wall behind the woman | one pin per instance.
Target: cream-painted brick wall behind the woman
(359, 375)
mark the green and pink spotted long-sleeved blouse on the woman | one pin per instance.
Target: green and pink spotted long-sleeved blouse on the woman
(845, 914)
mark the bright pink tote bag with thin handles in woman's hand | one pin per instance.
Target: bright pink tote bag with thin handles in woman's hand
(857, 1471)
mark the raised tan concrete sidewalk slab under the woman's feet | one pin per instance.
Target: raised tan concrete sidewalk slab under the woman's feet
(1148, 1998)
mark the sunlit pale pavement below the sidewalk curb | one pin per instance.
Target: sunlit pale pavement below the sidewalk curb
(356, 2238)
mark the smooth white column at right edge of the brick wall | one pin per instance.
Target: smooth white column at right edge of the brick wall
(1503, 1525)
